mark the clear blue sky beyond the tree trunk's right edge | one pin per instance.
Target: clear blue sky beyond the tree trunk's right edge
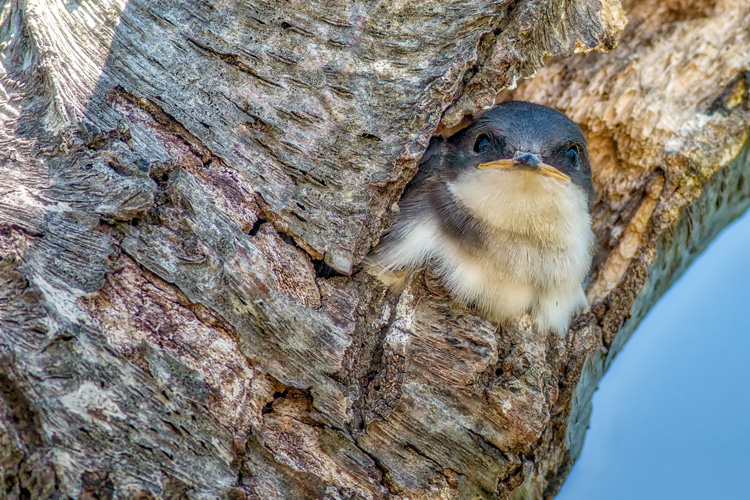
(671, 417)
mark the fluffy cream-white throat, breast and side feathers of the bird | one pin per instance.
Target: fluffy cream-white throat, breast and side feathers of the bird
(534, 253)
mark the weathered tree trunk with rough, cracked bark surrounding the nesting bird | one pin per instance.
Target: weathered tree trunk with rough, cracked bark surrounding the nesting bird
(187, 187)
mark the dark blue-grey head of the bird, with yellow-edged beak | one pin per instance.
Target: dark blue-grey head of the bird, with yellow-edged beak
(520, 136)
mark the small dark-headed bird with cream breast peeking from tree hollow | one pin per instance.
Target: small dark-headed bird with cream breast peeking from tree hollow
(501, 209)
